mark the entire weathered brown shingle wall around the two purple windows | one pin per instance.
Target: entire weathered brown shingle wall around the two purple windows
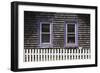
(32, 28)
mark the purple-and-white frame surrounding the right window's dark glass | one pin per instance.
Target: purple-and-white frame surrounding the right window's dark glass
(76, 35)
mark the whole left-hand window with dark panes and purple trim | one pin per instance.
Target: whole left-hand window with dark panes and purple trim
(45, 34)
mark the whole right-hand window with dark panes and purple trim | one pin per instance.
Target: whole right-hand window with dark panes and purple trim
(71, 35)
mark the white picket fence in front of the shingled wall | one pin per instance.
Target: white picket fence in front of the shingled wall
(48, 54)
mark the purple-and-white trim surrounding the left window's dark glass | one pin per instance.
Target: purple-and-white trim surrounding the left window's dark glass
(50, 43)
